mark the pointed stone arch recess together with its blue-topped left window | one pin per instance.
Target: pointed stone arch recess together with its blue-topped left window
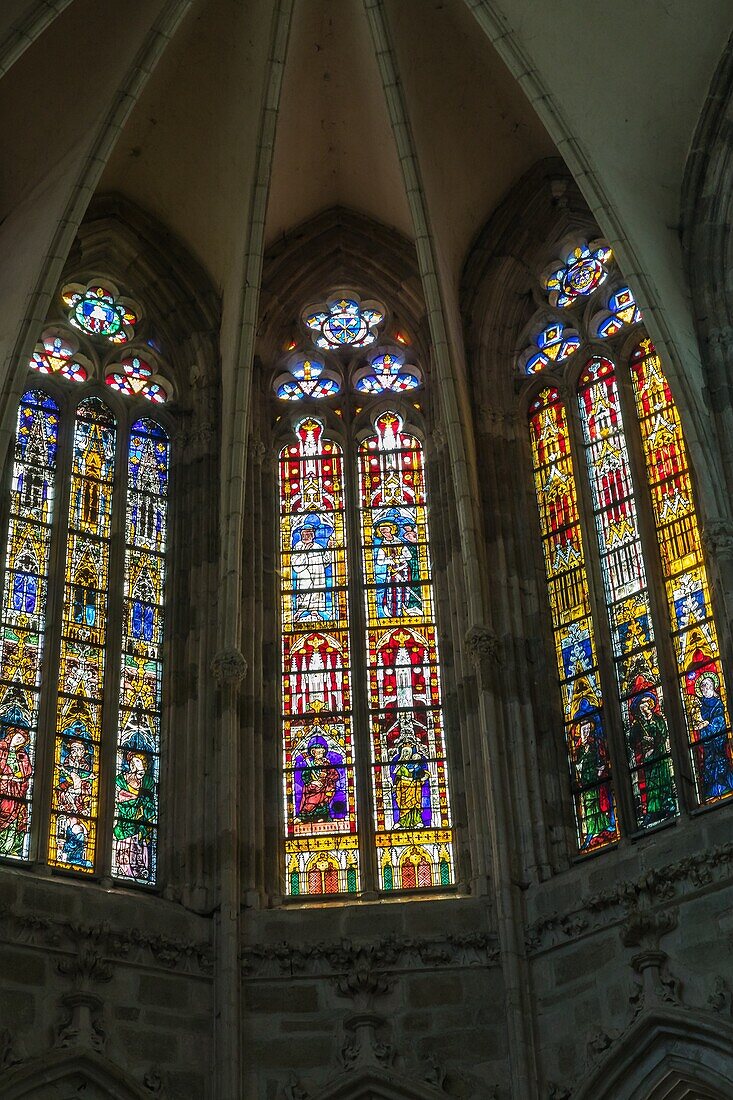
(124, 406)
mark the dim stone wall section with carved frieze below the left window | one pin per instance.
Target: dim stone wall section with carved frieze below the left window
(123, 976)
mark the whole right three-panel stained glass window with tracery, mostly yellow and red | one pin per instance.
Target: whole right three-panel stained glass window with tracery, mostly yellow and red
(637, 646)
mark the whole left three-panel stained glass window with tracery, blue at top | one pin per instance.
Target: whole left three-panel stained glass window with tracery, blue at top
(83, 598)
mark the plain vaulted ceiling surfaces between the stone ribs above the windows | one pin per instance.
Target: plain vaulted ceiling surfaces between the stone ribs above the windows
(618, 92)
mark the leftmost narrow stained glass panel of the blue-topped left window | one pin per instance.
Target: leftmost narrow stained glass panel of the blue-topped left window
(32, 502)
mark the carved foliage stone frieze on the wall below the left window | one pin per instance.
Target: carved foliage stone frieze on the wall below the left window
(92, 948)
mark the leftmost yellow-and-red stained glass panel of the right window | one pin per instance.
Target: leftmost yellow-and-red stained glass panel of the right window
(575, 642)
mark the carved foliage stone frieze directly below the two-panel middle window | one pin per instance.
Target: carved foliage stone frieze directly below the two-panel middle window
(391, 955)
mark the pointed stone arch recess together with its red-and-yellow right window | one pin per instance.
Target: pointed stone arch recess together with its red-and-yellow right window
(557, 344)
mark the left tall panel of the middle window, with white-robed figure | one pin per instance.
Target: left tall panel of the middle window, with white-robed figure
(322, 848)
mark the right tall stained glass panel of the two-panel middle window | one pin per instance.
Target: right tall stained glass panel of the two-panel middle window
(410, 784)
